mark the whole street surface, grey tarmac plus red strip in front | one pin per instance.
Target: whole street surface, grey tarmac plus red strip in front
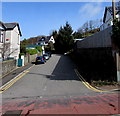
(56, 83)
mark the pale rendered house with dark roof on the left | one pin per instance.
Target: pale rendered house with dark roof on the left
(10, 45)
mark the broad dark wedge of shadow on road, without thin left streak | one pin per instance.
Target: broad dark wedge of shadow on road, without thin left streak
(64, 69)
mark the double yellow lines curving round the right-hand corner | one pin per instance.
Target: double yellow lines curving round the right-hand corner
(87, 84)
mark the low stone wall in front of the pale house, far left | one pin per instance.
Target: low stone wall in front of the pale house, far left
(7, 66)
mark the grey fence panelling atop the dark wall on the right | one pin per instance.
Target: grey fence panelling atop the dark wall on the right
(100, 39)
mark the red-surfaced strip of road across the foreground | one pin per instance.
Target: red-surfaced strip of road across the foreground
(99, 105)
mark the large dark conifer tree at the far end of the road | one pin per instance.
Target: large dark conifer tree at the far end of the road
(64, 39)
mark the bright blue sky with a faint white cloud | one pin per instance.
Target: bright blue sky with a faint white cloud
(41, 18)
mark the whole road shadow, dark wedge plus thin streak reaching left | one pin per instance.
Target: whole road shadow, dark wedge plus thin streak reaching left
(64, 70)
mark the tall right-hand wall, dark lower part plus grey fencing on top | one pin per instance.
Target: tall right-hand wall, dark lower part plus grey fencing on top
(94, 57)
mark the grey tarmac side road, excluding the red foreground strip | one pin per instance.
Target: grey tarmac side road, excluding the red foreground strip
(56, 79)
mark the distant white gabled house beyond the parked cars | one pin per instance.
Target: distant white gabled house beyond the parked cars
(44, 41)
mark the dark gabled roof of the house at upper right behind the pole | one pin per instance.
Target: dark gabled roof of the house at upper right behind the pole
(109, 8)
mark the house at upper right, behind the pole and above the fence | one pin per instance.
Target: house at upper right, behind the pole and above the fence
(108, 17)
